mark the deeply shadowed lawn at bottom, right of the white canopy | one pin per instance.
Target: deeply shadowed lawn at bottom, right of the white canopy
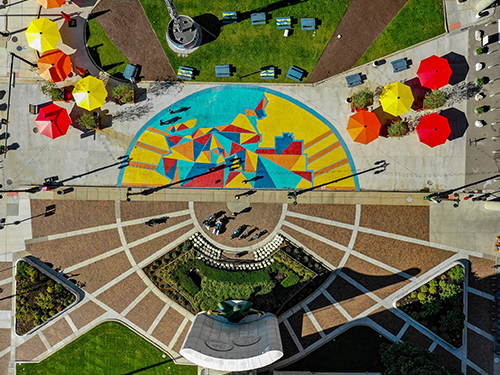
(356, 350)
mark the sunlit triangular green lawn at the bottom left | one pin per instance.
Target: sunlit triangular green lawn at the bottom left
(108, 349)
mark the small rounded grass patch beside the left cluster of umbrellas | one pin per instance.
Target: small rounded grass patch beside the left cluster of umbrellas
(103, 50)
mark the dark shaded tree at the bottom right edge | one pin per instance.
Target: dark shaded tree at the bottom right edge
(403, 359)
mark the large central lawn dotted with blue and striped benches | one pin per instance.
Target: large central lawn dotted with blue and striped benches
(250, 47)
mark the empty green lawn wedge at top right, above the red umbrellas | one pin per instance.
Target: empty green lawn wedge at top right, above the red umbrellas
(419, 20)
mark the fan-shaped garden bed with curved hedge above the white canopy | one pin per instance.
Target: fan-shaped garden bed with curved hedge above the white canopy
(198, 287)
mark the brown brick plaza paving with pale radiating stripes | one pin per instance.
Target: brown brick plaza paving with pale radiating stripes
(379, 254)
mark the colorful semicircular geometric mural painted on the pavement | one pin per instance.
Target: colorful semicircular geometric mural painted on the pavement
(238, 137)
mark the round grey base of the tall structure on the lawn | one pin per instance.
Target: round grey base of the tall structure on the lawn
(186, 40)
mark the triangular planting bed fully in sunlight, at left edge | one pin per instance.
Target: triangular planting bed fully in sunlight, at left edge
(38, 298)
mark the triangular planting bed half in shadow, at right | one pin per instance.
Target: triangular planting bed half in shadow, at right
(438, 305)
